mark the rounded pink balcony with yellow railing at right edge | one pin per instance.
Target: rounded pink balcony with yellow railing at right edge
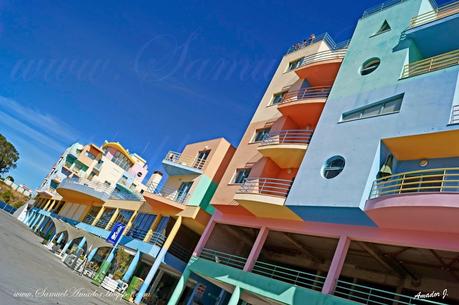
(416, 200)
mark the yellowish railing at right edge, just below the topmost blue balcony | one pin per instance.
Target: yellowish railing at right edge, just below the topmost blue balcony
(434, 63)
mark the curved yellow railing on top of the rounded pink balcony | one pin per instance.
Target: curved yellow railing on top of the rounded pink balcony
(430, 180)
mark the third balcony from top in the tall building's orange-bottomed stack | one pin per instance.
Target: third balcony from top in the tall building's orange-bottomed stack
(286, 147)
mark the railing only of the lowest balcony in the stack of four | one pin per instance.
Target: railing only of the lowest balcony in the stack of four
(266, 186)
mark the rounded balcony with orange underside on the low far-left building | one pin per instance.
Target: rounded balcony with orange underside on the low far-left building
(80, 190)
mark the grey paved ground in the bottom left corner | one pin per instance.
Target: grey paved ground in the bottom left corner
(30, 274)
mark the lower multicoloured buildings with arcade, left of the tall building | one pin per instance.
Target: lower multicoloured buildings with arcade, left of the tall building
(162, 224)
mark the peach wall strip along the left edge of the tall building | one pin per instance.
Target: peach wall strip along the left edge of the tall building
(247, 154)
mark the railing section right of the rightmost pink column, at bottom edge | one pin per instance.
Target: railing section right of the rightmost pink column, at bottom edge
(373, 296)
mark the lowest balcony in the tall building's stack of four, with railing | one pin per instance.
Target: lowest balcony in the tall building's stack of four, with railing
(256, 193)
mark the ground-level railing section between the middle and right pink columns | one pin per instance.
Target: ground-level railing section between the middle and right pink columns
(288, 275)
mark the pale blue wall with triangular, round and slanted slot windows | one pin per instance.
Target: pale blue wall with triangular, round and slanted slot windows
(425, 108)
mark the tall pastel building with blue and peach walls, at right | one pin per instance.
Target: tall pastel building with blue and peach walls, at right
(348, 196)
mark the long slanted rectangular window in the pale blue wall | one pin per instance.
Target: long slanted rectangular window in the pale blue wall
(391, 105)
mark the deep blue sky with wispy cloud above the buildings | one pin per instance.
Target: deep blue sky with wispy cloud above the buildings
(153, 75)
